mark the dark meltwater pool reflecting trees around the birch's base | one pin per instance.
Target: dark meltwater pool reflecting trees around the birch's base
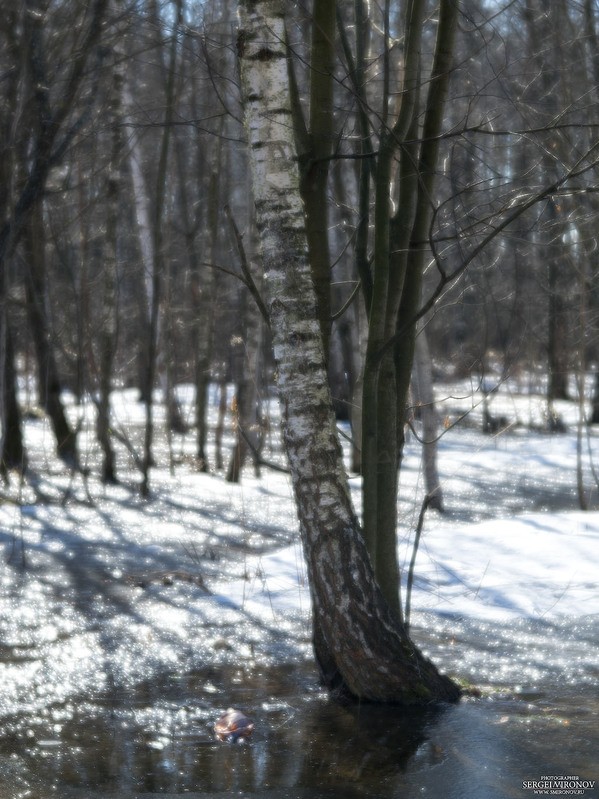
(158, 738)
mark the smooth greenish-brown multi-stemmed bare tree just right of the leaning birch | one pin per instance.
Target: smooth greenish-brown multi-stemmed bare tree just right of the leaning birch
(399, 257)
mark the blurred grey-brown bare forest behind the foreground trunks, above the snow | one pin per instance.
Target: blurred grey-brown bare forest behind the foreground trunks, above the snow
(127, 221)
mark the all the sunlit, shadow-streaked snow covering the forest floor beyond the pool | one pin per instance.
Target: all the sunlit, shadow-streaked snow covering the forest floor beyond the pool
(100, 588)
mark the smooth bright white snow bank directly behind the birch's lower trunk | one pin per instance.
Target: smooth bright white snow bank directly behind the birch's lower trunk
(532, 566)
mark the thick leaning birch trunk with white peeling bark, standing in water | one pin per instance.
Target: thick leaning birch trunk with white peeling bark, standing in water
(363, 650)
